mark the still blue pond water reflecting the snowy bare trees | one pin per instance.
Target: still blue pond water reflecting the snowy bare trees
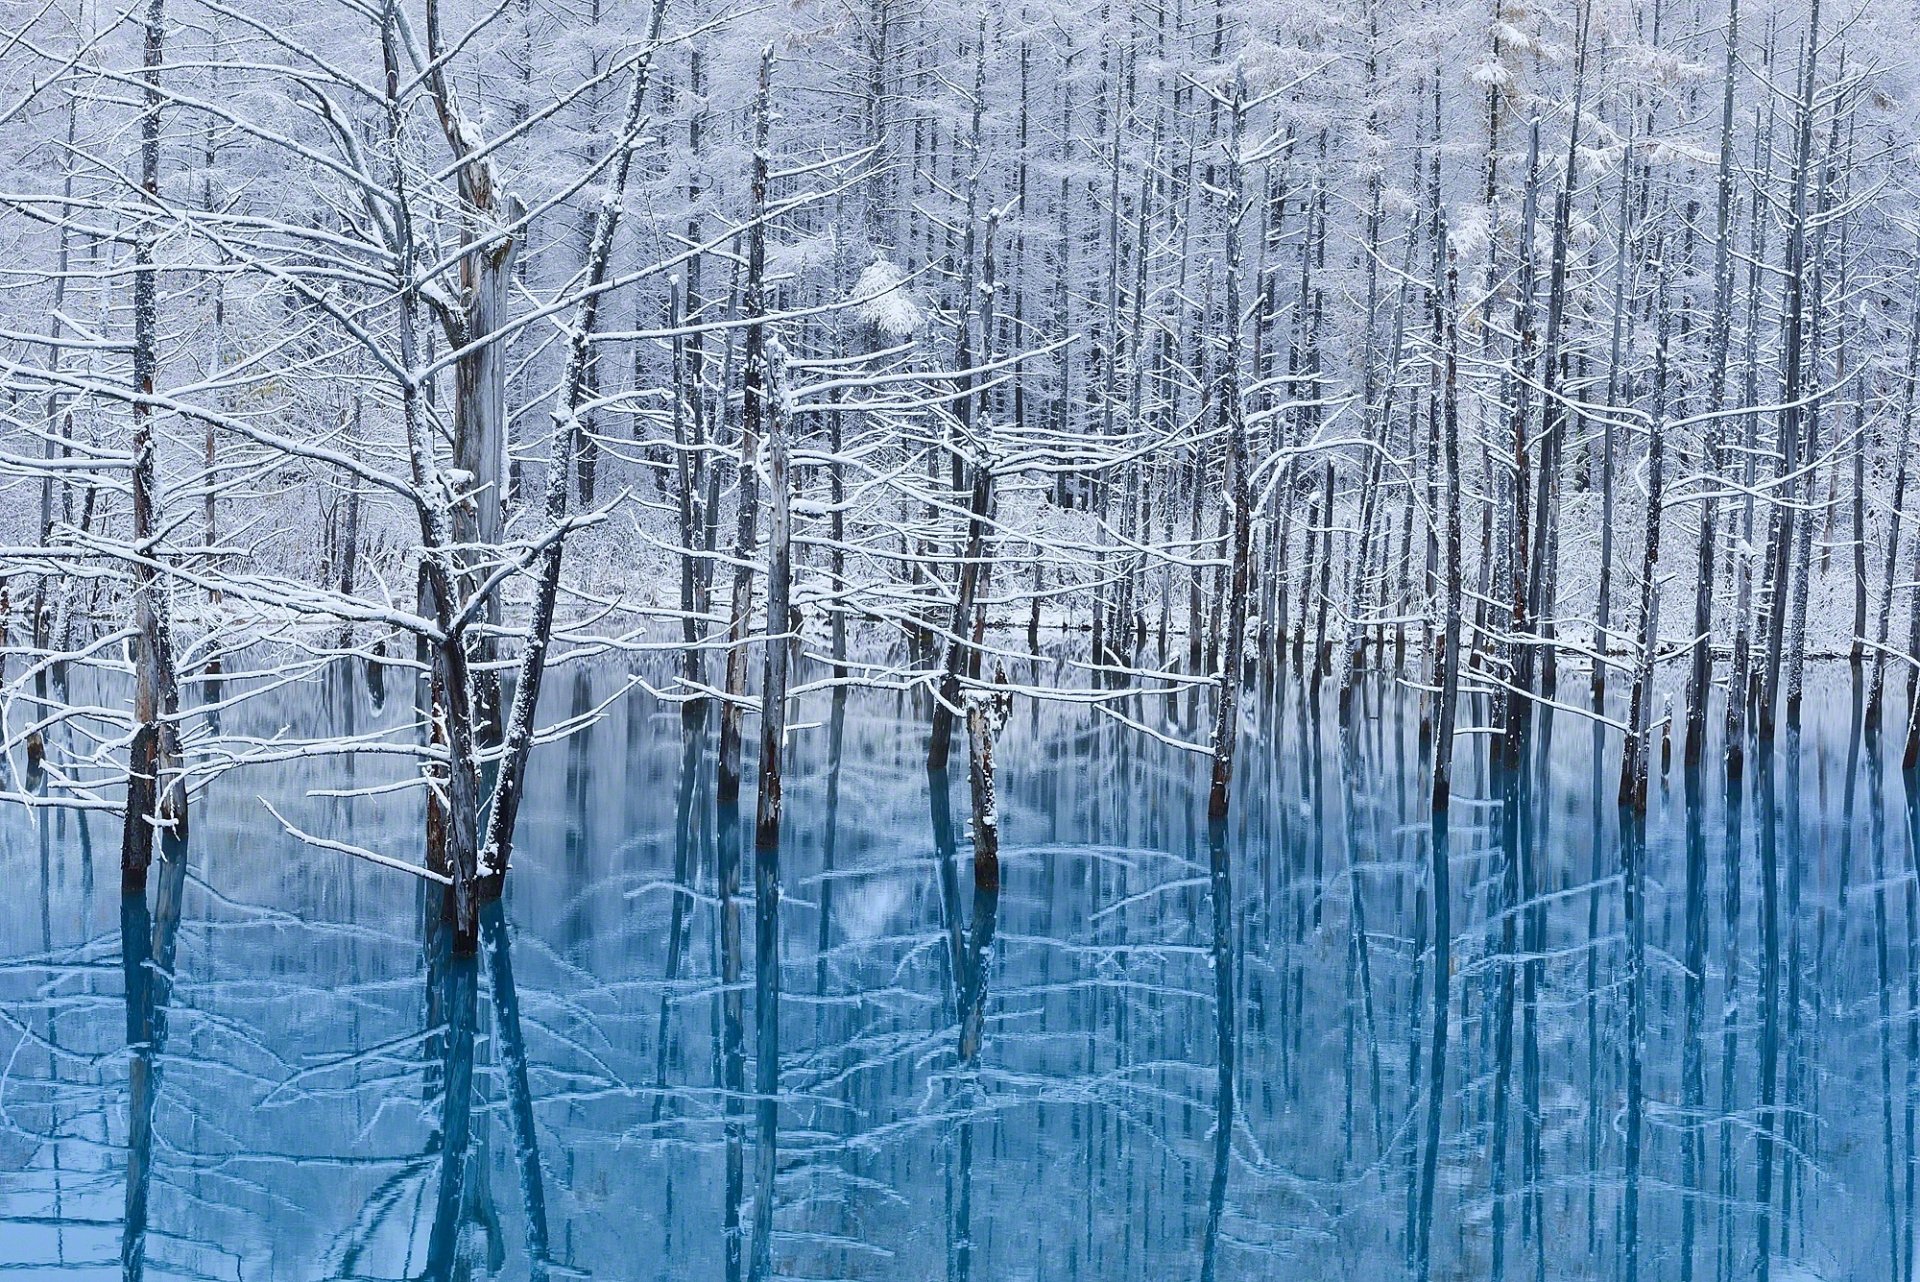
(268, 1068)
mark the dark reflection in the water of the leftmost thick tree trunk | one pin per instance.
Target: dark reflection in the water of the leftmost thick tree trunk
(149, 943)
